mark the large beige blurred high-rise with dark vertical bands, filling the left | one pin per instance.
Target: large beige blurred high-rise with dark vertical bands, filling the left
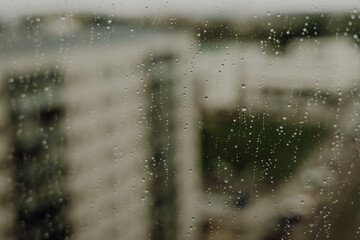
(98, 128)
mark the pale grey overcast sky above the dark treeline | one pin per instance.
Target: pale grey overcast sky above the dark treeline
(231, 8)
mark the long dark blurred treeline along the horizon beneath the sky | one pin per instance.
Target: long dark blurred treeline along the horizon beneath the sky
(275, 31)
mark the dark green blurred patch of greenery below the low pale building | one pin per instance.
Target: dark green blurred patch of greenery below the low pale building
(273, 149)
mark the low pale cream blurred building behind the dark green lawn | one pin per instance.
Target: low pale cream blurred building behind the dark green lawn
(307, 77)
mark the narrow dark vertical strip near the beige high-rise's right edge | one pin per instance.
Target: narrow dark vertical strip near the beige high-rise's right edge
(162, 140)
